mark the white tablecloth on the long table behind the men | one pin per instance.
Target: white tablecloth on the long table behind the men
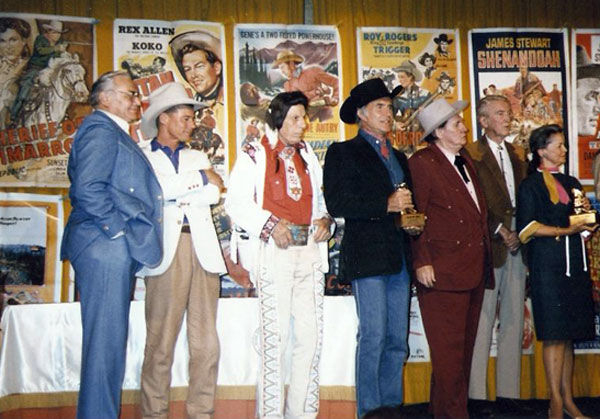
(41, 346)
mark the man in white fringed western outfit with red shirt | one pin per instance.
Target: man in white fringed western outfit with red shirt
(275, 200)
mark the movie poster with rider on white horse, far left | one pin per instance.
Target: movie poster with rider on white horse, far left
(47, 67)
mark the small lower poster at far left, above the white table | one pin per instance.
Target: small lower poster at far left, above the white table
(31, 228)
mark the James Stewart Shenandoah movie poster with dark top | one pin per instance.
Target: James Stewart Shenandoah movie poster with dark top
(528, 67)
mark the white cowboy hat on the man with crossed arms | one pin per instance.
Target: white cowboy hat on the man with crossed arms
(163, 98)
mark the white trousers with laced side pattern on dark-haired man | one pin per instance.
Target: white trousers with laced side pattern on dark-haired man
(290, 291)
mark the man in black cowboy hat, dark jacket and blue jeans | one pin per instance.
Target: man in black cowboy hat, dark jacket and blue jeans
(362, 179)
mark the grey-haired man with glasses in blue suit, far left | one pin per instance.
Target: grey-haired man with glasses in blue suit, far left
(113, 230)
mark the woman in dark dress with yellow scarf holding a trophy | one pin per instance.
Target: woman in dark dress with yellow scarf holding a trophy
(560, 282)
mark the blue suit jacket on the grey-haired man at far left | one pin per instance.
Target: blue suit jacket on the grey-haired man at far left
(113, 189)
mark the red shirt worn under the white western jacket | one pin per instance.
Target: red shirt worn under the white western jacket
(275, 197)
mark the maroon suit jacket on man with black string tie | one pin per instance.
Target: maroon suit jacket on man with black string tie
(455, 240)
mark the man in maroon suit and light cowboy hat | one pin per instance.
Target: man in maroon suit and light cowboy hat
(451, 256)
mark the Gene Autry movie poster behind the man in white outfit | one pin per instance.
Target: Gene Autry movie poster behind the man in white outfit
(271, 59)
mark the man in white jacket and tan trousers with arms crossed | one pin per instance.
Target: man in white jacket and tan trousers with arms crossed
(188, 277)
